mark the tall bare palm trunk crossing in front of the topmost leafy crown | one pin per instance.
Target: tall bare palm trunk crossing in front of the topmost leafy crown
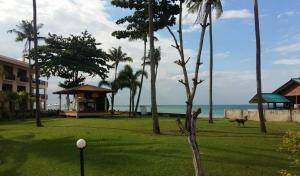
(156, 128)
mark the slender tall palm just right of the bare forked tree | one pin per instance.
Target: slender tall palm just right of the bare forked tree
(195, 7)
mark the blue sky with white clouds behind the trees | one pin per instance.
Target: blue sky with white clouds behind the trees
(234, 45)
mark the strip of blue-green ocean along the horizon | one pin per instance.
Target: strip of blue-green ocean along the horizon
(218, 110)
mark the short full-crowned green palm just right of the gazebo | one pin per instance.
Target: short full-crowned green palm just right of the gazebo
(128, 79)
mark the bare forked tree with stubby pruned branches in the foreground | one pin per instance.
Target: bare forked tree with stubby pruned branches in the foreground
(189, 128)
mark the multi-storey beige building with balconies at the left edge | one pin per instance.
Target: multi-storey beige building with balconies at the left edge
(14, 76)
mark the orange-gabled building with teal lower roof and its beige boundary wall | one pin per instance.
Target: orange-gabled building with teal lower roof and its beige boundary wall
(281, 105)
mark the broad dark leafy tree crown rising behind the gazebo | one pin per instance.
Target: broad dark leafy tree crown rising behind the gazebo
(72, 58)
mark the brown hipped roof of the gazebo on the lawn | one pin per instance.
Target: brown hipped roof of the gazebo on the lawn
(83, 88)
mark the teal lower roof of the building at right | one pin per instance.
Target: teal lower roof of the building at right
(270, 98)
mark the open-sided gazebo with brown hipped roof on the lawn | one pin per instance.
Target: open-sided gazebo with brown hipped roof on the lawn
(88, 101)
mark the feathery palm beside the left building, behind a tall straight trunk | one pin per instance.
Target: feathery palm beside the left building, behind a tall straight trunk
(25, 32)
